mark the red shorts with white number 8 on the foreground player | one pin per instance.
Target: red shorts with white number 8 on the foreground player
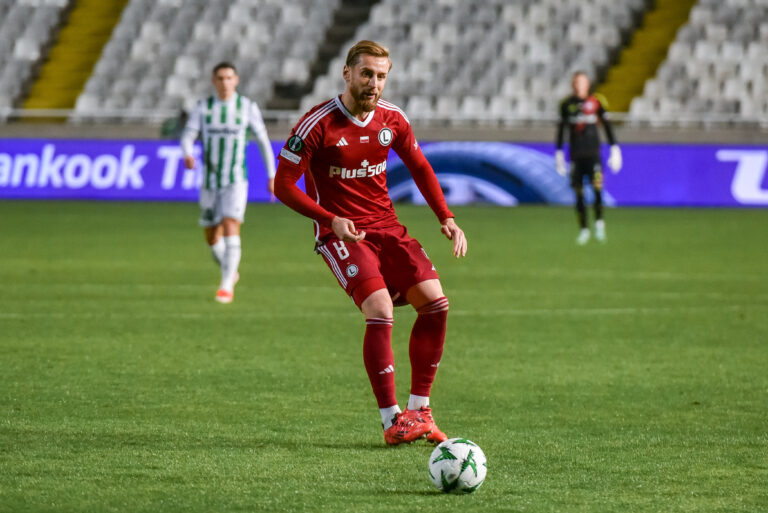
(390, 254)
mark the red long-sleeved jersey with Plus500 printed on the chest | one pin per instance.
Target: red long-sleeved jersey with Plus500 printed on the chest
(344, 163)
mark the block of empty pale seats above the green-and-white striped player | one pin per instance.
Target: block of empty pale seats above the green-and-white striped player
(161, 52)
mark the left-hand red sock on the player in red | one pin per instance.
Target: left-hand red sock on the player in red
(379, 360)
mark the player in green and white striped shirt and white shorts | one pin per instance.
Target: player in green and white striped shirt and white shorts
(223, 121)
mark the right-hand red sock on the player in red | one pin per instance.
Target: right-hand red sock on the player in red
(426, 346)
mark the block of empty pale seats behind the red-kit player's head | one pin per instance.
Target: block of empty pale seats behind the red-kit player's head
(488, 60)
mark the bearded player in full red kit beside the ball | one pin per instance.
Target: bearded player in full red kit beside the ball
(341, 148)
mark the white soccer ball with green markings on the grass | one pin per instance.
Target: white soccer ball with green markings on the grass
(457, 465)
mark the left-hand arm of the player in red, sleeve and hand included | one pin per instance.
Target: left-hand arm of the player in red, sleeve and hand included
(292, 163)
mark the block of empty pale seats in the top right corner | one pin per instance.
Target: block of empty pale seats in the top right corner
(717, 67)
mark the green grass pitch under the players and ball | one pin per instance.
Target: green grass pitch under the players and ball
(626, 377)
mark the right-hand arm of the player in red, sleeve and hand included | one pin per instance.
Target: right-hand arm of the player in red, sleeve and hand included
(424, 176)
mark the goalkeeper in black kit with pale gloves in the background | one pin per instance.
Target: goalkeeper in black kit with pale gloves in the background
(580, 113)
